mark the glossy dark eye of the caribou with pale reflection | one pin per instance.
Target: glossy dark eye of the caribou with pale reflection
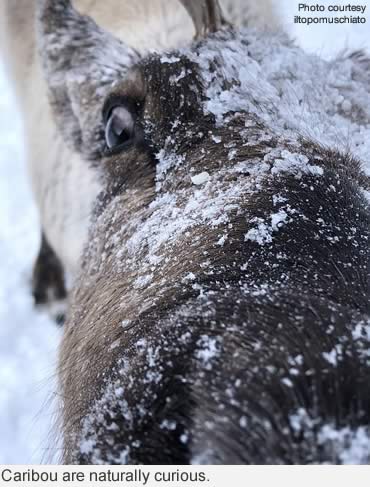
(119, 129)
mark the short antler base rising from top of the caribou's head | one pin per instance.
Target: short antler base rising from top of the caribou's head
(207, 16)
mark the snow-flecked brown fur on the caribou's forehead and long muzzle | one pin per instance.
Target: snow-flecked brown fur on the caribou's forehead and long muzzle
(243, 351)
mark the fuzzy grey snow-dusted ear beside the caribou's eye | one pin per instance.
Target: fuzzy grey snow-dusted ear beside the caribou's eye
(81, 62)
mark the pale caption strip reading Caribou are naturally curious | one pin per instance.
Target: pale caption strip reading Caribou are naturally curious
(207, 476)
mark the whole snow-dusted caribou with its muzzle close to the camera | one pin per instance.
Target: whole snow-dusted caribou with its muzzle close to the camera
(216, 226)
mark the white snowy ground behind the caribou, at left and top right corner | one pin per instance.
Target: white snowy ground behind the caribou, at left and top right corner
(28, 340)
